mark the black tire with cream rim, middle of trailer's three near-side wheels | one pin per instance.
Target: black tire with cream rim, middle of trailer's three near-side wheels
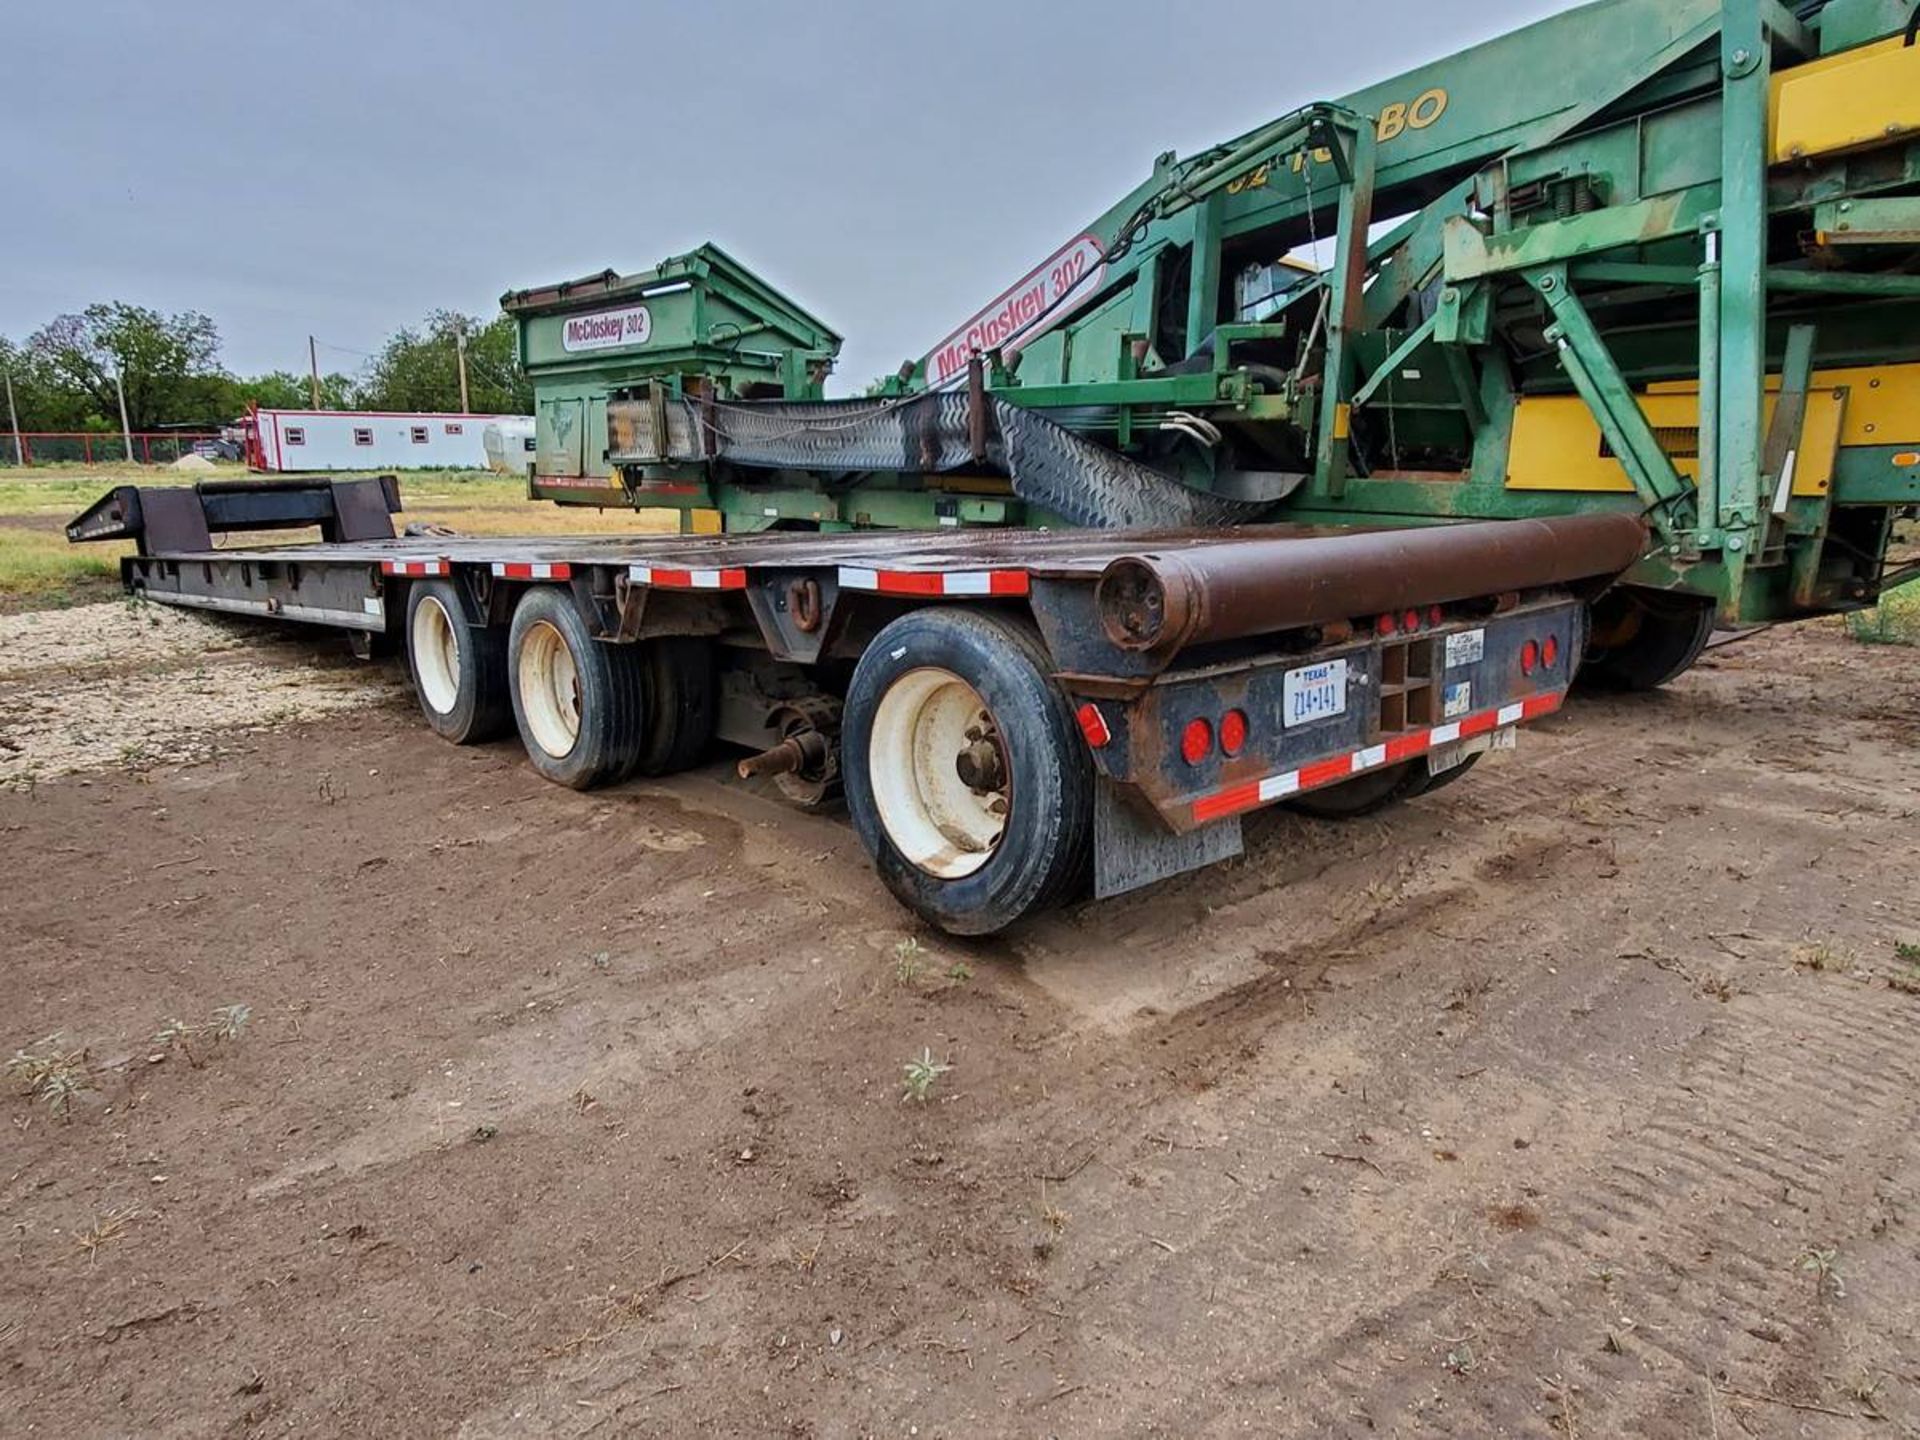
(608, 694)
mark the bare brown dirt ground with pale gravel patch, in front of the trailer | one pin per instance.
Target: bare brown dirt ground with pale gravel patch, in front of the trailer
(1575, 1101)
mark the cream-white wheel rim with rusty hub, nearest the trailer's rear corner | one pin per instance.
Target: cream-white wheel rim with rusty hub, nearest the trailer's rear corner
(923, 729)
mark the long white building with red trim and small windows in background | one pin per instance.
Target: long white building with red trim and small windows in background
(387, 441)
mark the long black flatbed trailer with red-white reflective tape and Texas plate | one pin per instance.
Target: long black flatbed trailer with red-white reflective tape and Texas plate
(1013, 715)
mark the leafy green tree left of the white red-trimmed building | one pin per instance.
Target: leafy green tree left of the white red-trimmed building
(170, 364)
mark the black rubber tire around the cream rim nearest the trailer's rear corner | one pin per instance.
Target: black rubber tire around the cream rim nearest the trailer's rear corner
(1044, 853)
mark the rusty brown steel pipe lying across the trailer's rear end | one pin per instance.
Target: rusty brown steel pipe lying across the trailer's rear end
(1161, 602)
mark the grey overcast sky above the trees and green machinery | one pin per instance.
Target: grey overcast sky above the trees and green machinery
(345, 168)
